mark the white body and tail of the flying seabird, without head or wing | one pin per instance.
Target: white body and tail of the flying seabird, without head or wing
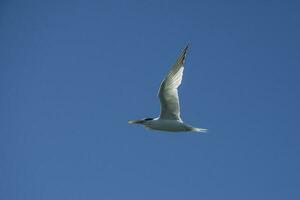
(170, 125)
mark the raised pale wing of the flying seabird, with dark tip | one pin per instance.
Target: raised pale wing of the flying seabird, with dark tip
(168, 93)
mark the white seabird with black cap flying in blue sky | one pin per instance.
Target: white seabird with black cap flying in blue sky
(169, 118)
